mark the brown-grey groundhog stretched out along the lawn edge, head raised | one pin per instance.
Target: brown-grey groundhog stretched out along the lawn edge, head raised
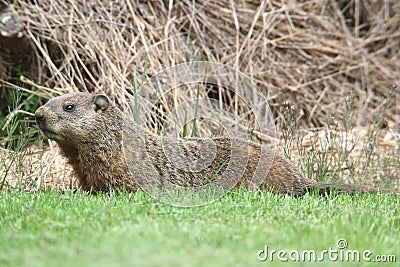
(109, 151)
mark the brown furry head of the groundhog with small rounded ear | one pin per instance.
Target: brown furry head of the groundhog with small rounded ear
(74, 118)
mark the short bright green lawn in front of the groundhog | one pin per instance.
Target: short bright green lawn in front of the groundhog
(48, 228)
